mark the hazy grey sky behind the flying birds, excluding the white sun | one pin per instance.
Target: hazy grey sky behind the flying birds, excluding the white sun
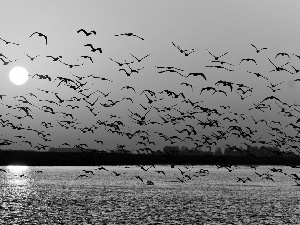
(218, 26)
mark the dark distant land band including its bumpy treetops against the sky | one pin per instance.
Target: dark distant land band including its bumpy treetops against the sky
(171, 155)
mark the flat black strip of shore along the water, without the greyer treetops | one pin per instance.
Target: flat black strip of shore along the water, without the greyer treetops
(32, 158)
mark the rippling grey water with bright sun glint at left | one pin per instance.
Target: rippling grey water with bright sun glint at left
(54, 195)
